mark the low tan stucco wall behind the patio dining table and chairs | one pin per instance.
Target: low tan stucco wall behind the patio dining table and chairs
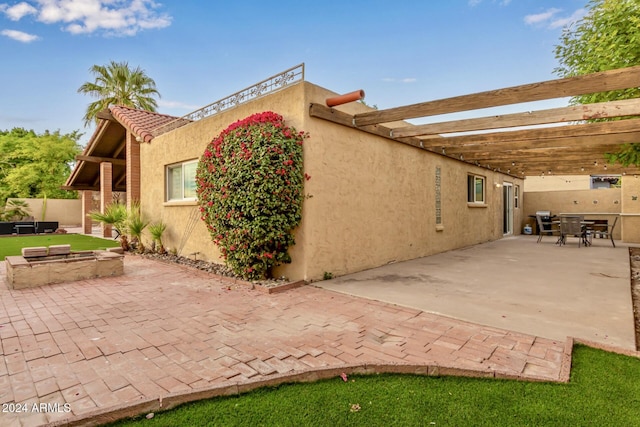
(593, 204)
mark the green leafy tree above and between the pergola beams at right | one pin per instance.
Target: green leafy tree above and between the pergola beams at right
(608, 37)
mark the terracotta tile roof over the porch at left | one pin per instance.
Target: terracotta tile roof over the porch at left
(145, 124)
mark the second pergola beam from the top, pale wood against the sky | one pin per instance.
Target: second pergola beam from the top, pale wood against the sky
(574, 113)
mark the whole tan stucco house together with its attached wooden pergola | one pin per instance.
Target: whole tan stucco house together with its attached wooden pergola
(382, 190)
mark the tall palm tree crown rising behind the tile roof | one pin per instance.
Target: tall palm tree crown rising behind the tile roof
(119, 84)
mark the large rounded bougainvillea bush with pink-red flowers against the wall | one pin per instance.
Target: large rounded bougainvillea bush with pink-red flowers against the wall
(250, 186)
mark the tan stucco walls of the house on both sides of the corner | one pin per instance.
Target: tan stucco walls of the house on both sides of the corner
(372, 201)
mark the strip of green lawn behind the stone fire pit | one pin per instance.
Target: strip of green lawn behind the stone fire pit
(13, 245)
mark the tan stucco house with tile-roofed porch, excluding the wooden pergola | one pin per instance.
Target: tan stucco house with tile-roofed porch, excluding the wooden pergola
(373, 201)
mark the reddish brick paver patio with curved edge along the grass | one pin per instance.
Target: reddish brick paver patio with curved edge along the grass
(160, 329)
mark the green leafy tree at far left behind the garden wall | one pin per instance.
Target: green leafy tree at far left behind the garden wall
(36, 165)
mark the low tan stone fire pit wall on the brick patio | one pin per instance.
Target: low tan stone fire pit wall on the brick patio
(31, 272)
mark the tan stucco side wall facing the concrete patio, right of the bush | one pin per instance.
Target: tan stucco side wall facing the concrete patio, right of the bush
(374, 200)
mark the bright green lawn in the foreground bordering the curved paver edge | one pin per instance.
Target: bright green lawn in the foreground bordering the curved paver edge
(604, 390)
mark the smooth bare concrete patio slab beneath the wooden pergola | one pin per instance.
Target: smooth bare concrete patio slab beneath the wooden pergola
(516, 284)
